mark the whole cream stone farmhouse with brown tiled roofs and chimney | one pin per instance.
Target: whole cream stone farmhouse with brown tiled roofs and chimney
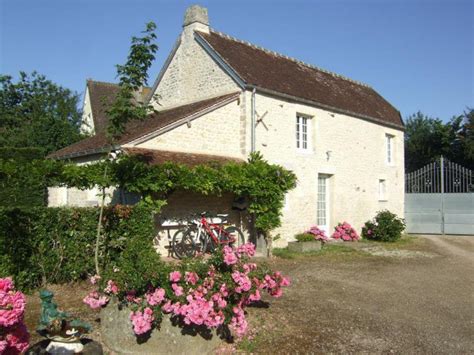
(220, 98)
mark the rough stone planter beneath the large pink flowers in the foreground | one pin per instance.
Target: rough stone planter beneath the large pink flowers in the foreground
(168, 338)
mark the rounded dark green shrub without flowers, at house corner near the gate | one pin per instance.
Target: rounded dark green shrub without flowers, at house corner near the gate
(385, 227)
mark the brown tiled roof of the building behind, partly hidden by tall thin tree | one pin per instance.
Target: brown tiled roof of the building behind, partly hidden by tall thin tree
(101, 96)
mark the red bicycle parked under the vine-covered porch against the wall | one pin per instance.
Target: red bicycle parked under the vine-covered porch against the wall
(204, 236)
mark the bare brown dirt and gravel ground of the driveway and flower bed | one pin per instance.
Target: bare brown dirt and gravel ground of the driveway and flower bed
(413, 297)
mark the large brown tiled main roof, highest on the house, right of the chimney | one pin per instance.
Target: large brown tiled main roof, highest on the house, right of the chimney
(281, 74)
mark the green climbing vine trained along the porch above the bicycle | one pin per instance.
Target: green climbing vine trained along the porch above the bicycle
(264, 185)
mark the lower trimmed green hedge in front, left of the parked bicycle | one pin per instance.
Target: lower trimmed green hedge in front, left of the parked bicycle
(56, 245)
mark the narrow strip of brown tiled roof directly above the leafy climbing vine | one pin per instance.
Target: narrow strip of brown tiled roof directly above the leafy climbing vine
(152, 156)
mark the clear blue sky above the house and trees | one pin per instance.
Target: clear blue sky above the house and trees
(417, 53)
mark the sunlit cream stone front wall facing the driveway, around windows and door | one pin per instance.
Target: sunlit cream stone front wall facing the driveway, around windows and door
(351, 150)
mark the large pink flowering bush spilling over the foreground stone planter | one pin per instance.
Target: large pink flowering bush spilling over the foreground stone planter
(210, 293)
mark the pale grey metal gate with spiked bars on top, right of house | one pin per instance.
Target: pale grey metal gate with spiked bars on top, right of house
(439, 199)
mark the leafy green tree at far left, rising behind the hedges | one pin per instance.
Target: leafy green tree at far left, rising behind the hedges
(35, 112)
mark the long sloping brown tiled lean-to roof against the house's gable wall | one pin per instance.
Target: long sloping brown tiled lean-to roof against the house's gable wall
(137, 129)
